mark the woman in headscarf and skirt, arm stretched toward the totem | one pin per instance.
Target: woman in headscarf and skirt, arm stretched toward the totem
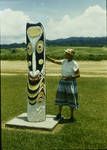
(67, 92)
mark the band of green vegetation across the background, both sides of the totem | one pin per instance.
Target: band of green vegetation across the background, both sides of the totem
(82, 53)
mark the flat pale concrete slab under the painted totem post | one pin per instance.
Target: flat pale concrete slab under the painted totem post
(22, 122)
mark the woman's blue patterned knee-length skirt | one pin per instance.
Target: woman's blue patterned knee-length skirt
(67, 93)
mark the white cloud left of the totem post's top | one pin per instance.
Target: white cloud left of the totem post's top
(13, 26)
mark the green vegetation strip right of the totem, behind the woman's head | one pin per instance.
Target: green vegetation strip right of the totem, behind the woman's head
(82, 53)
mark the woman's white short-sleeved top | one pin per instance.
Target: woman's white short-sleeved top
(69, 67)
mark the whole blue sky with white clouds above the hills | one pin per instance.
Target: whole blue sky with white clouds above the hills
(60, 18)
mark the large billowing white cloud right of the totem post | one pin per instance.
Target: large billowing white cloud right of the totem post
(92, 22)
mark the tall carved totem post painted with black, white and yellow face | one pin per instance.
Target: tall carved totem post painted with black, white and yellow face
(36, 109)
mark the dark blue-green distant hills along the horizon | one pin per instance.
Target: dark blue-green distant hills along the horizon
(72, 41)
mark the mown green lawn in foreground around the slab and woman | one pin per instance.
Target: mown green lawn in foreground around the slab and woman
(88, 132)
